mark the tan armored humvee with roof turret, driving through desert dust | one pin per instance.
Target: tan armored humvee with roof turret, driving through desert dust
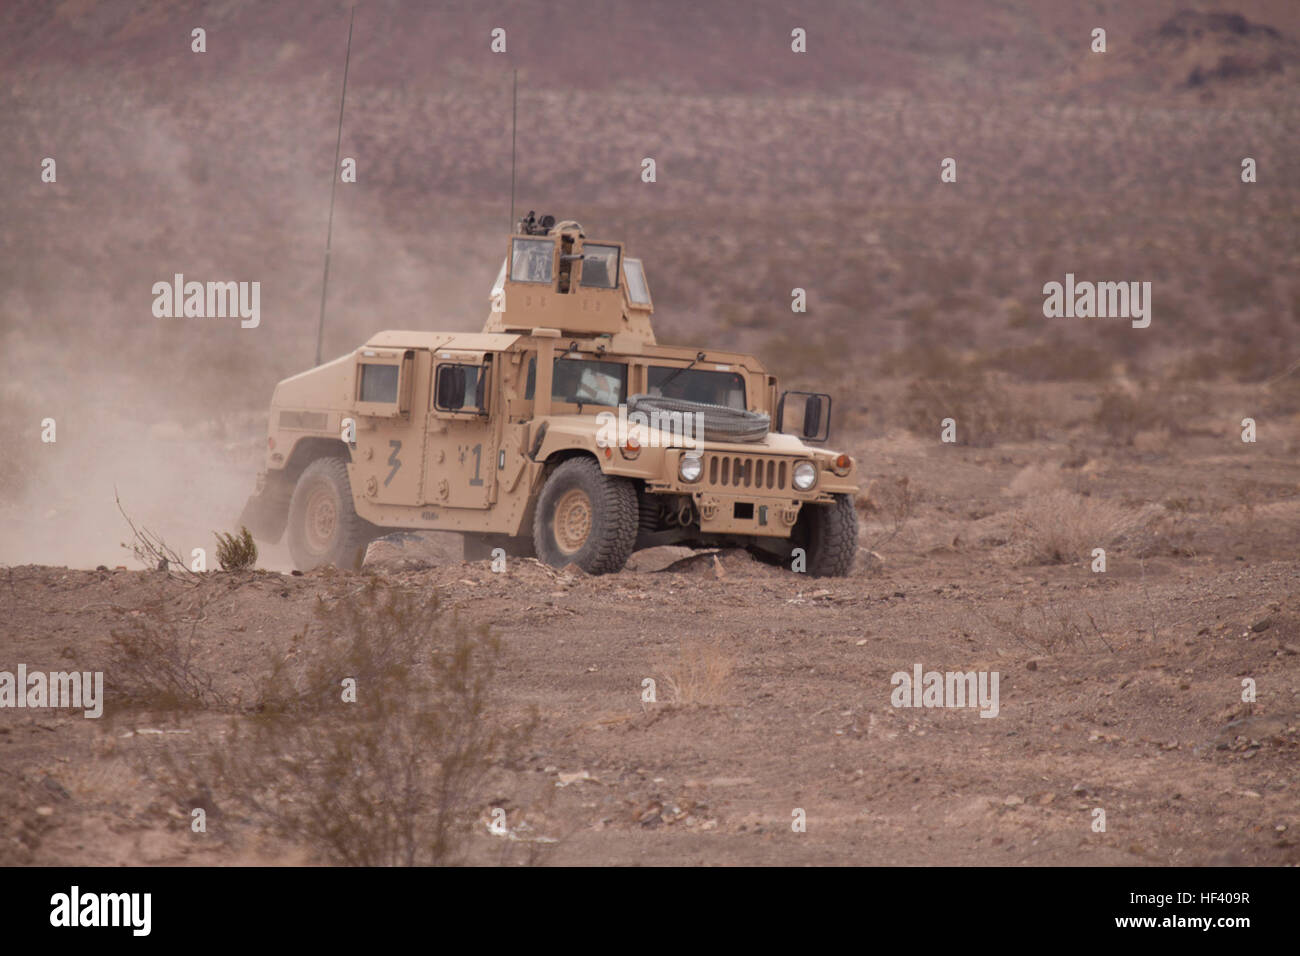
(561, 431)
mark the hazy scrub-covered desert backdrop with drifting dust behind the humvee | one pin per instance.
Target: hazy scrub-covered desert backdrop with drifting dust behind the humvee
(775, 171)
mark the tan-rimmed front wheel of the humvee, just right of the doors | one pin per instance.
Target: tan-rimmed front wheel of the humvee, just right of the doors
(599, 518)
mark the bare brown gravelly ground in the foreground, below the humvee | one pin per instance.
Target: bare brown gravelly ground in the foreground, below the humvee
(1120, 690)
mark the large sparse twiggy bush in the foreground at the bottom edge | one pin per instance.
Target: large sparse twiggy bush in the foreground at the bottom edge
(393, 778)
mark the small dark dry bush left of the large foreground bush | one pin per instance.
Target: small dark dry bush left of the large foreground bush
(153, 660)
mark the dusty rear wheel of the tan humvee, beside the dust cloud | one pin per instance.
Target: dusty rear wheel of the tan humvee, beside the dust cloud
(324, 527)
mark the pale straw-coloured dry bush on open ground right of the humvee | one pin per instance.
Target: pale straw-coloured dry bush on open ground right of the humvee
(1063, 527)
